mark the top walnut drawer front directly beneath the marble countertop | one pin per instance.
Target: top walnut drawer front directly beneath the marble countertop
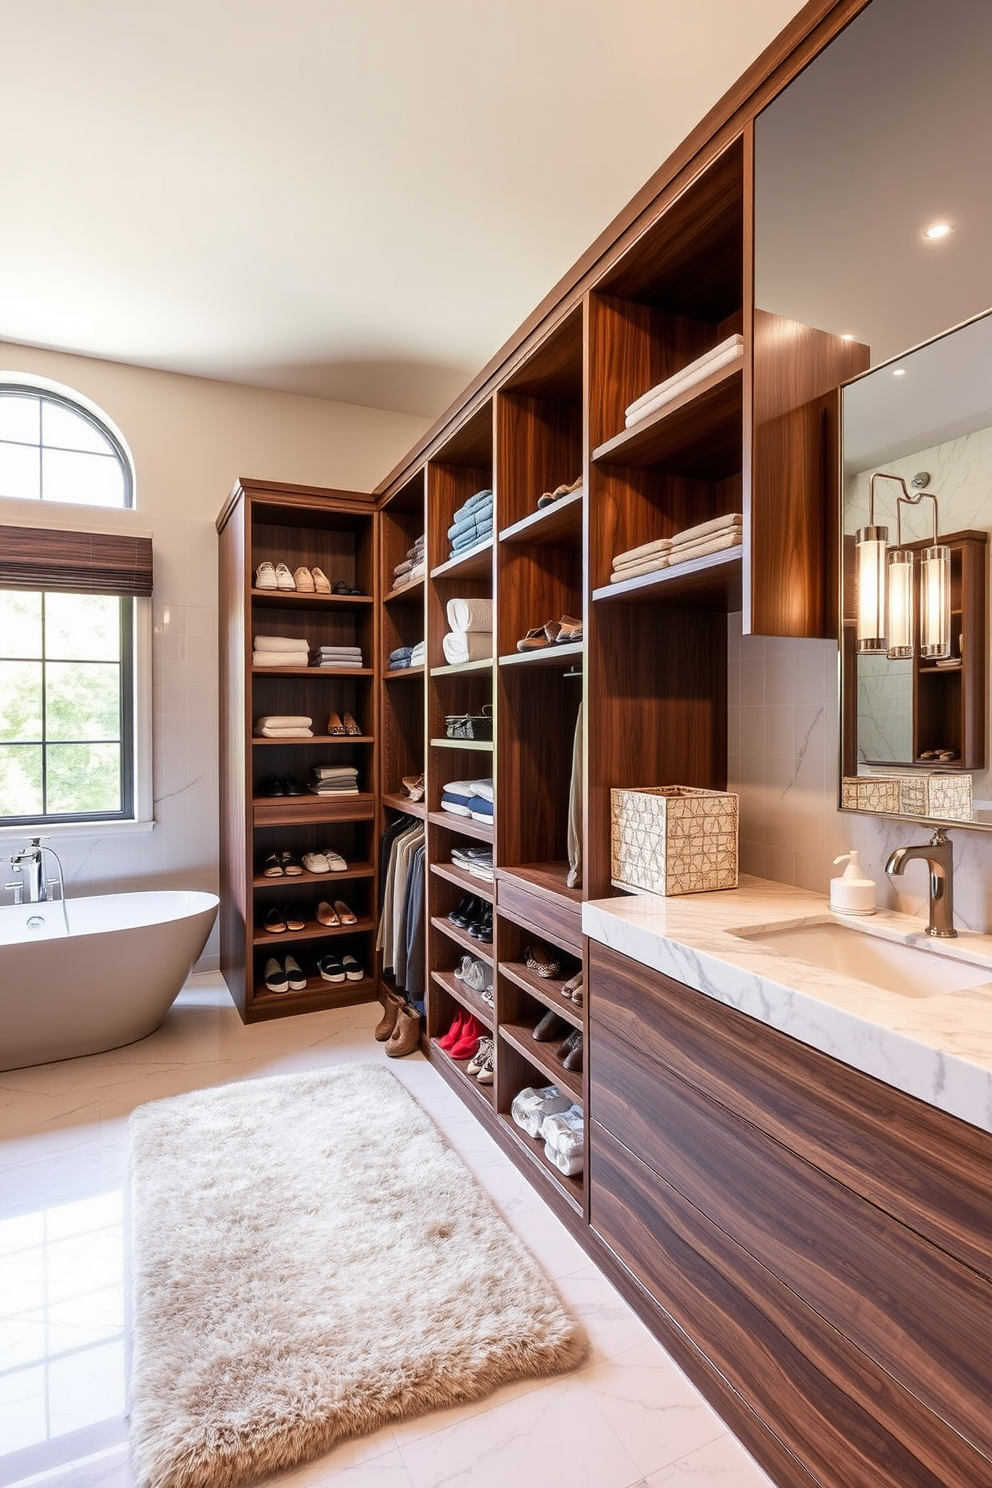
(929, 1170)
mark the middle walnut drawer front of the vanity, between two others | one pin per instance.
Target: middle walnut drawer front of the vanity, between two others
(924, 1319)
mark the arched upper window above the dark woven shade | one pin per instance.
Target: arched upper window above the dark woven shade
(57, 449)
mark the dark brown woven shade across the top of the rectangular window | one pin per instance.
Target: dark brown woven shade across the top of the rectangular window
(75, 563)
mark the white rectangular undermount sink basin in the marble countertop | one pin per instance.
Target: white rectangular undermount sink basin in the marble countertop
(862, 953)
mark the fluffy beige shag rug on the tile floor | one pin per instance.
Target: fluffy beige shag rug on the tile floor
(312, 1261)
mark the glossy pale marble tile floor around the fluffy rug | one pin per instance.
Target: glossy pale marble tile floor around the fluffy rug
(630, 1419)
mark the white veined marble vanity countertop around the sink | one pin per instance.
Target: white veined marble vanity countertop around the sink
(935, 1048)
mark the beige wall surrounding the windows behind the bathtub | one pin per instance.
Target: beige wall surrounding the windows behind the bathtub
(191, 438)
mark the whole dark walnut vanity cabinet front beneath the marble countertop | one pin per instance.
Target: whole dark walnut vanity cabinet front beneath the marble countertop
(817, 1245)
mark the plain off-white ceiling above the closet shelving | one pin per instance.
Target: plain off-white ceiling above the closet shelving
(350, 199)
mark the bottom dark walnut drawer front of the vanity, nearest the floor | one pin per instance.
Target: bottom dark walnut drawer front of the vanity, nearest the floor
(844, 1417)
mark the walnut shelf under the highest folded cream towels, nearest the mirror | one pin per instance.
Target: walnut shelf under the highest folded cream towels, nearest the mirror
(697, 435)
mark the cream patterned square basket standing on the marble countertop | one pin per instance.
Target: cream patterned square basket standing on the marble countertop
(674, 840)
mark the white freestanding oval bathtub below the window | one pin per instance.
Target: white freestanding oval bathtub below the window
(108, 983)
